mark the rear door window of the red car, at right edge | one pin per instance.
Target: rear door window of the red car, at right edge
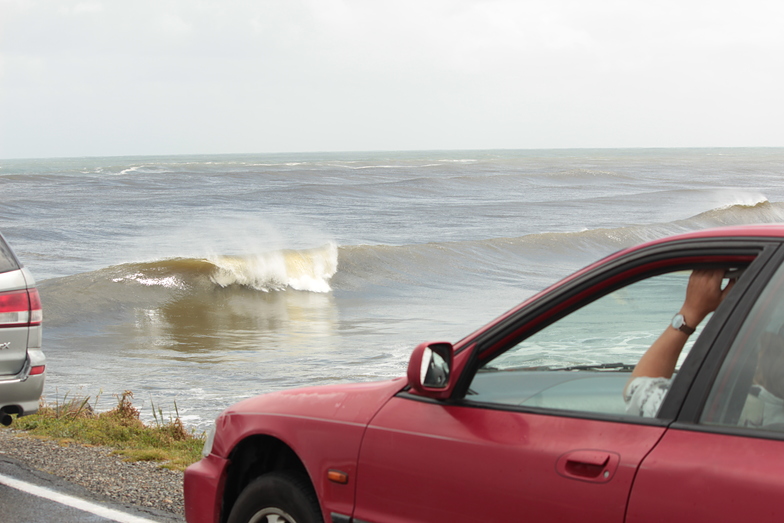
(749, 388)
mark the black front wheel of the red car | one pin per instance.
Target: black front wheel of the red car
(277, 497)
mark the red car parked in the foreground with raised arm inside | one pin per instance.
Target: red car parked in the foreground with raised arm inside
(526, 419)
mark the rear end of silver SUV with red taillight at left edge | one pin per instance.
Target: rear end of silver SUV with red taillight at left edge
(22, 363)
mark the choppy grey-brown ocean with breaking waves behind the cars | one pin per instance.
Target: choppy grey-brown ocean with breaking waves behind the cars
(197, 281)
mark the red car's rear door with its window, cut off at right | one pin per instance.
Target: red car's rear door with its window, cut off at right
(722, 460)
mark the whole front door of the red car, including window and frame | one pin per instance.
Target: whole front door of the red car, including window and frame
(540, 433)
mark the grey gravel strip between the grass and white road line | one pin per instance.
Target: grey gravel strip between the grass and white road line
(142, 484)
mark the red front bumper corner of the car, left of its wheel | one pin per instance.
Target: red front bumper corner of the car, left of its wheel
(203, 489)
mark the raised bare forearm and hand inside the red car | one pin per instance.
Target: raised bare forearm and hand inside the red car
(703, 296)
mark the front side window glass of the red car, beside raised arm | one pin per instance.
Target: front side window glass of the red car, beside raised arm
(583, 361)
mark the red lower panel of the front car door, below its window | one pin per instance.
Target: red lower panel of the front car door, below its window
(440, 463)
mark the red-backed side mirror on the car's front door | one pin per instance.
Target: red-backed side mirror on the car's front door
(429, 369)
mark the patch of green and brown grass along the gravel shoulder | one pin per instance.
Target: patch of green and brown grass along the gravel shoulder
(75, 421)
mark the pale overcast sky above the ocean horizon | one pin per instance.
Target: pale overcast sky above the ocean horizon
(95, 78)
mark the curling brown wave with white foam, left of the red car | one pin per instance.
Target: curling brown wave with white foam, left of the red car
(113, 291)
